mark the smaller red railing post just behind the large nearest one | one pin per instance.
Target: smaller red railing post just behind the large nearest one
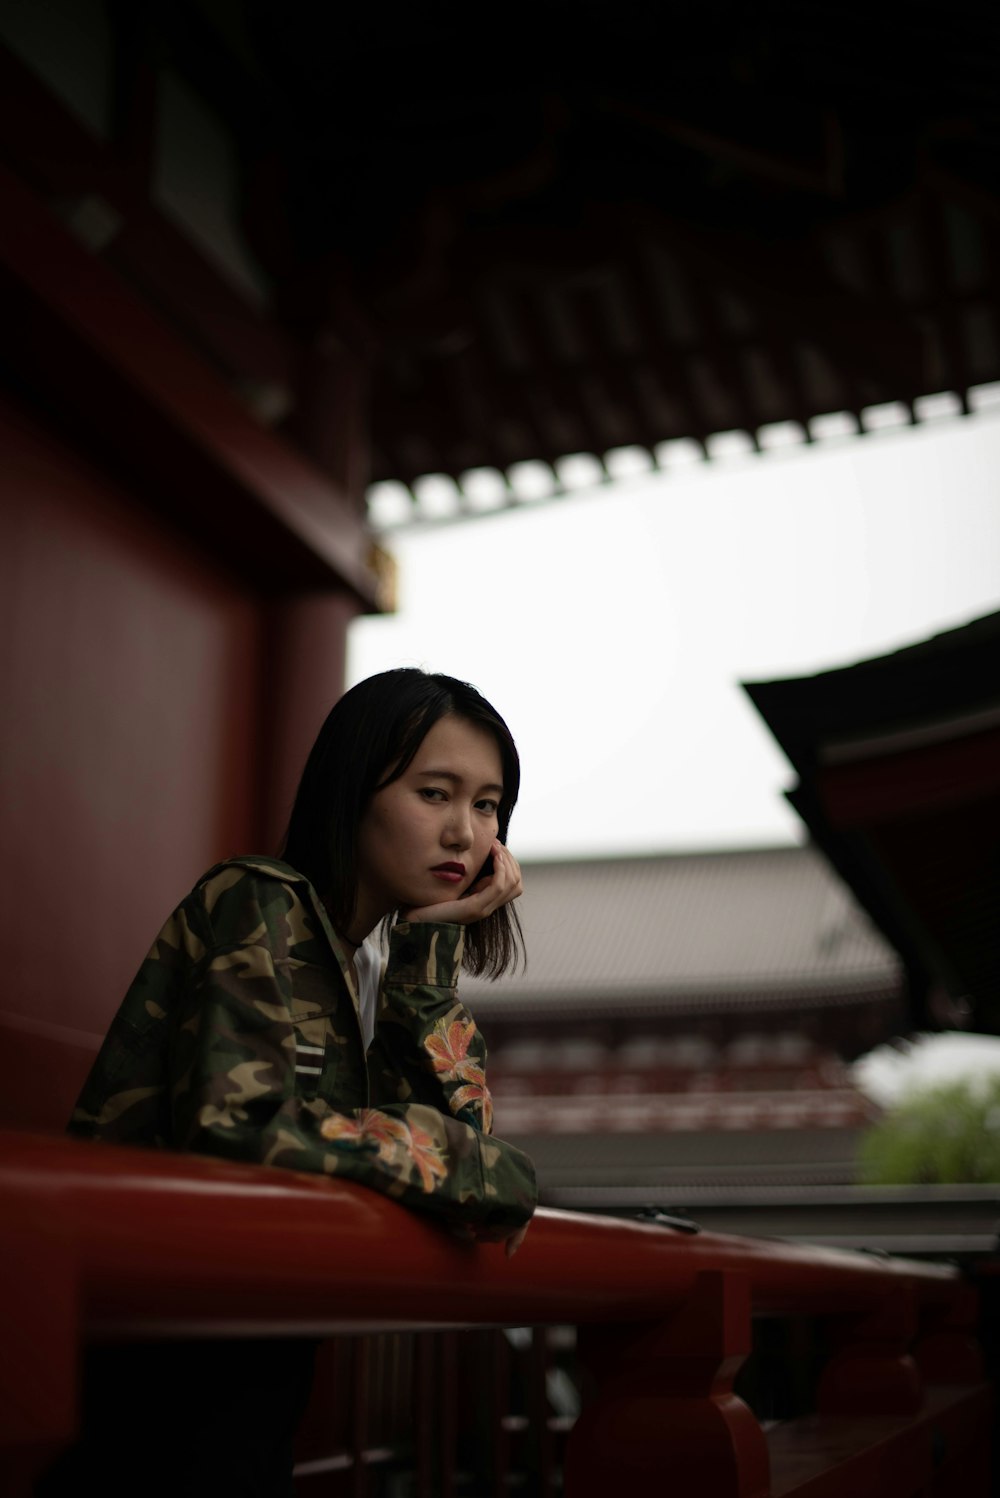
(872, 1370)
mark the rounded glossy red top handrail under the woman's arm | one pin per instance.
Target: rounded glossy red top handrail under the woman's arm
(162, 1244)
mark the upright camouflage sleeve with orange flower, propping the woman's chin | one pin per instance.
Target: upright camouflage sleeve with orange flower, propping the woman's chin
(427, 1048)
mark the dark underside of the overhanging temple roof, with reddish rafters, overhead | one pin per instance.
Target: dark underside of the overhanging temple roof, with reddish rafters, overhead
(574, 228)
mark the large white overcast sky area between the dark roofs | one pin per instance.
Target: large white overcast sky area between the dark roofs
(613, 628)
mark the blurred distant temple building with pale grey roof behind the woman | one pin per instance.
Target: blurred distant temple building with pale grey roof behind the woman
(685, 1024)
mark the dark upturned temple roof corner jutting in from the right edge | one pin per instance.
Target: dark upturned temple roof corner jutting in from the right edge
(899, 784)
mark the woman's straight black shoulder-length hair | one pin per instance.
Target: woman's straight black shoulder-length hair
(368, 742)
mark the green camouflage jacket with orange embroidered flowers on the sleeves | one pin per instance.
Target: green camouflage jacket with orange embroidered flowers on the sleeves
(242, 1037)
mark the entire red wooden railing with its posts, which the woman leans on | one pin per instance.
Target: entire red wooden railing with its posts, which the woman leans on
(115, 1244)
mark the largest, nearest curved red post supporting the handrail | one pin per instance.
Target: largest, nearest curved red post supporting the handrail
(665, 1413)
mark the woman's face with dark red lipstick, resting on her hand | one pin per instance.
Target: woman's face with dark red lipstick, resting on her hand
(424, 838)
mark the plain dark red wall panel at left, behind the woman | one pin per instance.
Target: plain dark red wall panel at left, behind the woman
(134, 690)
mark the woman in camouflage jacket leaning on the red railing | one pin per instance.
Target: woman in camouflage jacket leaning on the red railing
(258, 1030)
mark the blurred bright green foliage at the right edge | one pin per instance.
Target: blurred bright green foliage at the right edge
(939, 1136)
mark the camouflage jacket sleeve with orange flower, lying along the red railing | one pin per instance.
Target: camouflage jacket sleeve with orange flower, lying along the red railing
(239, 1085)
